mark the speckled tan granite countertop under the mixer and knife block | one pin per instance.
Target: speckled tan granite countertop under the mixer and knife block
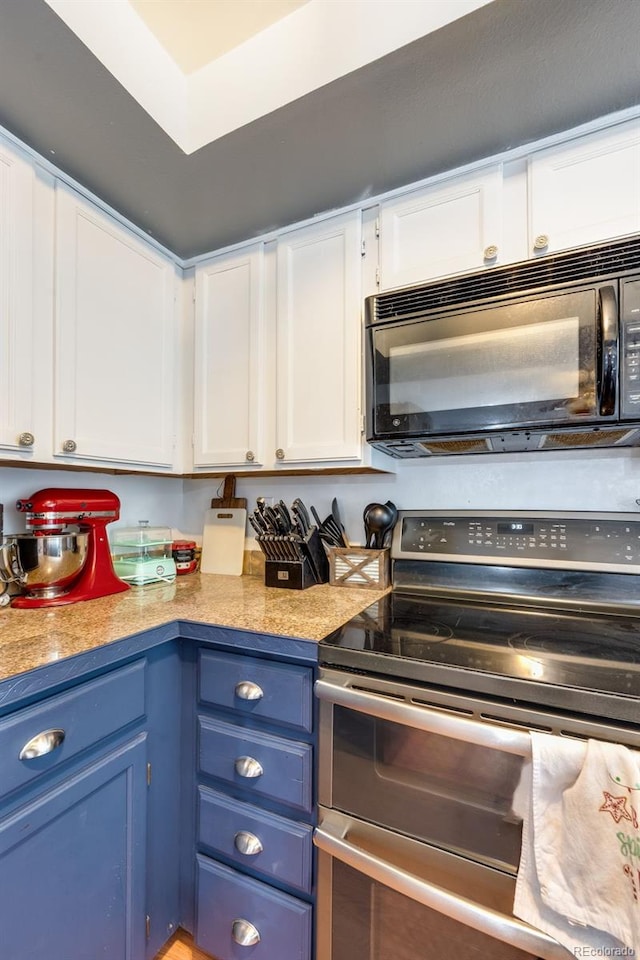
(34, 638)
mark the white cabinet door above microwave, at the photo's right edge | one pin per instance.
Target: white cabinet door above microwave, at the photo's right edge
(586, 190)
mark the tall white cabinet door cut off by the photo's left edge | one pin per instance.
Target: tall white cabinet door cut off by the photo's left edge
(17, 425)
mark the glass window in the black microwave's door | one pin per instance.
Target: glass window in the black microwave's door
(525, 363)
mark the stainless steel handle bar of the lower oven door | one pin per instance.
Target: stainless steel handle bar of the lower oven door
(332, 837)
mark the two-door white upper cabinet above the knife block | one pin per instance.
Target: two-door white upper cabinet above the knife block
(278, 352)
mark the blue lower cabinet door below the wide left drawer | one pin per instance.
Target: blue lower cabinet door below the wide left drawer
(72, 865)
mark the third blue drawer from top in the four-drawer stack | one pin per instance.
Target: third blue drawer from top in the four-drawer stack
(285, 847)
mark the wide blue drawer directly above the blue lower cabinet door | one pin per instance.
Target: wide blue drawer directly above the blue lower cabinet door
(85, 715)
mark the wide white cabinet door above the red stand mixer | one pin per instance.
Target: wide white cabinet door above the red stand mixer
(115, 340)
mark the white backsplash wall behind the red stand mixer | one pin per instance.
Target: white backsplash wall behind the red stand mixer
(156, 499)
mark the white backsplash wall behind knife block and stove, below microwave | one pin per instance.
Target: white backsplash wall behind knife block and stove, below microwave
(562, 480)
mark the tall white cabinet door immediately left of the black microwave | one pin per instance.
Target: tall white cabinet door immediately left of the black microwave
(318, 342)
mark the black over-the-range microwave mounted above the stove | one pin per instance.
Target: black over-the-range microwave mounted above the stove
(543, 354)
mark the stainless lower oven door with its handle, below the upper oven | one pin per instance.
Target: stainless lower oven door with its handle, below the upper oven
(382, 895)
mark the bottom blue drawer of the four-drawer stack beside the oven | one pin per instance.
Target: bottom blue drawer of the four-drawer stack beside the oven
(226, 898)
